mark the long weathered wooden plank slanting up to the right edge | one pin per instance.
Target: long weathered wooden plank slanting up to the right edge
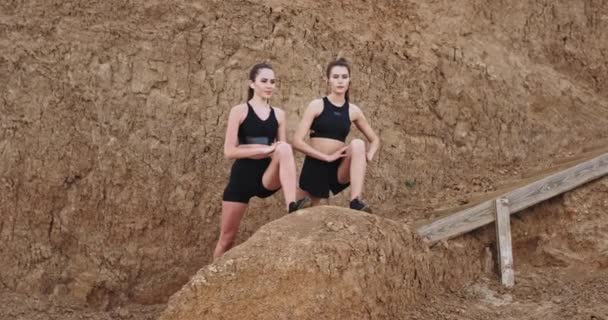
(519, 199)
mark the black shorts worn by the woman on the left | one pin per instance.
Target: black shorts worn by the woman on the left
(246, 180)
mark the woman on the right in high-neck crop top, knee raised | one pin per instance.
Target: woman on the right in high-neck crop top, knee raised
(330, 163)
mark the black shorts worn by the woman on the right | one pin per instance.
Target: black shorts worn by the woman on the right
(319, 177)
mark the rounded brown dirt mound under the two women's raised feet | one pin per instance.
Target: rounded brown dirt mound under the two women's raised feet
(323, 263)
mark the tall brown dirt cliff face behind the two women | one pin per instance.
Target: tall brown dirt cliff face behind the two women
(113, 115)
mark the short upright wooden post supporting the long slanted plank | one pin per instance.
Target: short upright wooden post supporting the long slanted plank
(503, 242)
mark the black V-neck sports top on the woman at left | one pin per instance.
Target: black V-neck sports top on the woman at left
(255, 131)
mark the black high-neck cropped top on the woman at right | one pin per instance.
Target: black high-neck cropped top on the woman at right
(332, 123)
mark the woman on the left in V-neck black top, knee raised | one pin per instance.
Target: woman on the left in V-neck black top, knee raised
(255, 137)
